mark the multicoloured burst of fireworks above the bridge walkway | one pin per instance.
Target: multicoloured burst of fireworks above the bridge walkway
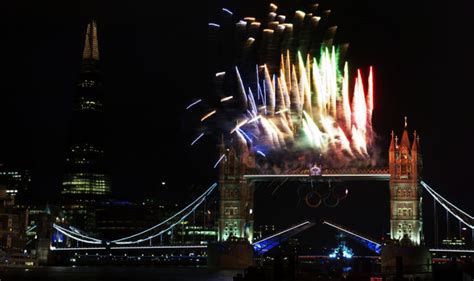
(298, 97)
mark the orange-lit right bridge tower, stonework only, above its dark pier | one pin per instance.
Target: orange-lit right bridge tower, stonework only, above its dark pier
(405, 165)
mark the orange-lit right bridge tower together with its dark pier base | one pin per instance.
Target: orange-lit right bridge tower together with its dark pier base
(407, 256)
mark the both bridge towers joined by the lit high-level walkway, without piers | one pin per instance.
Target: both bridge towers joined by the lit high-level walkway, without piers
(236, 179)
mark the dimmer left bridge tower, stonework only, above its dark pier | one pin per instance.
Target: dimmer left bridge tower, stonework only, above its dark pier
(236, 195)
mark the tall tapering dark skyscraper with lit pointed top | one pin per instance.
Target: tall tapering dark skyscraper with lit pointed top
(85, 174)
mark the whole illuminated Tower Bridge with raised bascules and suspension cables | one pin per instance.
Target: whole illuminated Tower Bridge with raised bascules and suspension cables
(236, 205)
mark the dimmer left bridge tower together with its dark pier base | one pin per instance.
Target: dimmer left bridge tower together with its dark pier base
(233, 250)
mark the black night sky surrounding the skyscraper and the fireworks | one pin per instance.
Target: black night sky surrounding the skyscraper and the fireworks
(155, 61)
